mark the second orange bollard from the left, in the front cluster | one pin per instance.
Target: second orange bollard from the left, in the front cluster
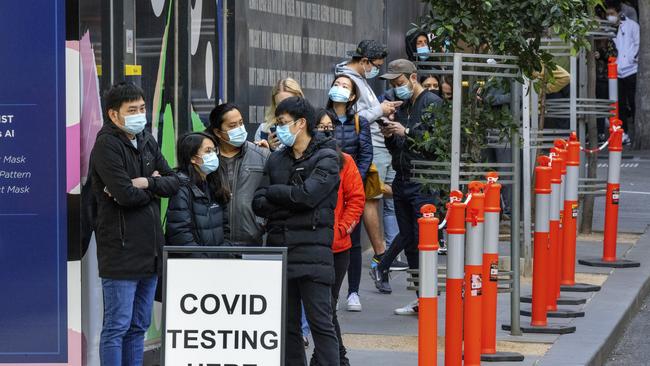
(455, 275)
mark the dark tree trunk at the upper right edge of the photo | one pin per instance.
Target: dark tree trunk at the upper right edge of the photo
(642, 114)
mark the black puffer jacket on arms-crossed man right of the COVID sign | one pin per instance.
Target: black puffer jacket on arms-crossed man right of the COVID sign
(299, 204)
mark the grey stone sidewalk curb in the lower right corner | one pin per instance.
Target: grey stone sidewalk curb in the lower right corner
(607, 314)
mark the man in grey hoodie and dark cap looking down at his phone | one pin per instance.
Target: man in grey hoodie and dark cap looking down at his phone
(365, 62)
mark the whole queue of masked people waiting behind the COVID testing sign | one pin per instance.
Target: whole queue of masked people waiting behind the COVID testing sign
(307, 182)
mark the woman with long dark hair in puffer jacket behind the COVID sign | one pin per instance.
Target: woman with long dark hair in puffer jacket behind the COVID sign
(195, 214)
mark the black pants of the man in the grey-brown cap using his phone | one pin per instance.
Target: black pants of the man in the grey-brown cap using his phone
(408, 197)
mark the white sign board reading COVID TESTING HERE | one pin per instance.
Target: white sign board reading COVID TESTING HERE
(225, 312)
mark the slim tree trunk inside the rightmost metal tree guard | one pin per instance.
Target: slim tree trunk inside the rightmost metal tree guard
(592, 138)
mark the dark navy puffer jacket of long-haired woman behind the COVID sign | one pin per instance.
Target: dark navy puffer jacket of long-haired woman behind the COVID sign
(194, 218)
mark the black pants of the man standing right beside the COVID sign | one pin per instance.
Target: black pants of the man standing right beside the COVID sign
(317, 299)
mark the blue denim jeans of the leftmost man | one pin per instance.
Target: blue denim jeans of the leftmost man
(127, 315)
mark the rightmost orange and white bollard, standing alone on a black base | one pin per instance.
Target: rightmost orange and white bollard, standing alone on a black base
(612, 198)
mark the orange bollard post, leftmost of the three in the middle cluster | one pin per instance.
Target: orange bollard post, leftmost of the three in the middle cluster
(540, 263)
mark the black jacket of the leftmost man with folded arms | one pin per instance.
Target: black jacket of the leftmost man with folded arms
(128, 230)
